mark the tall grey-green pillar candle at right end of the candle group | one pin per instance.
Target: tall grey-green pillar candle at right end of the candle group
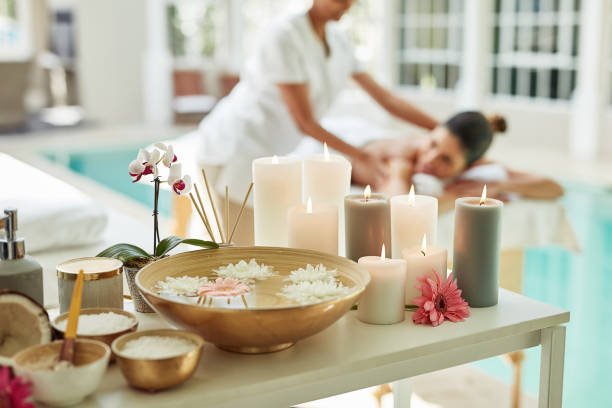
(477, 247)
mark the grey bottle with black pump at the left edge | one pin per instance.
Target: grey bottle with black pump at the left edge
(18, 272)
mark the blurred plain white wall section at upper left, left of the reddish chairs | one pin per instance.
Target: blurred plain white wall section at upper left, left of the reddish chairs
(110, 43)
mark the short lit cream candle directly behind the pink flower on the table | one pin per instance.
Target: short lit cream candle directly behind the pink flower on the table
(423, 260)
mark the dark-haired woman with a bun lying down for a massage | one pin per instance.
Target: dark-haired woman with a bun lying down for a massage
(453, 153)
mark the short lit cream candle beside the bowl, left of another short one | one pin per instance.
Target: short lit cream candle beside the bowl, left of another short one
(383, 300)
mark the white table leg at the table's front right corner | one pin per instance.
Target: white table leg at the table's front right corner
(551, 367)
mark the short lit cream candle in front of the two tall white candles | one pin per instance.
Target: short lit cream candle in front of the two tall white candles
(313, 227)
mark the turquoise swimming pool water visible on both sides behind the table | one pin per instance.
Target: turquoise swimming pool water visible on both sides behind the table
(577, 282)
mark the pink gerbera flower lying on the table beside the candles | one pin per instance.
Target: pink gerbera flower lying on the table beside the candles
(439, 301)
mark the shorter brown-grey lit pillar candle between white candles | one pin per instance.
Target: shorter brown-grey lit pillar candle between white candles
(367, 224)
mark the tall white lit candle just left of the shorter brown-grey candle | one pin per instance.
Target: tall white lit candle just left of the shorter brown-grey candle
(327, 179)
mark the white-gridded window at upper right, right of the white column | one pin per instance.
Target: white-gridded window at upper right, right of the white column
(535, 48)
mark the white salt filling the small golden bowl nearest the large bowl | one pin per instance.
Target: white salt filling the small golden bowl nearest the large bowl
(155, 347)
